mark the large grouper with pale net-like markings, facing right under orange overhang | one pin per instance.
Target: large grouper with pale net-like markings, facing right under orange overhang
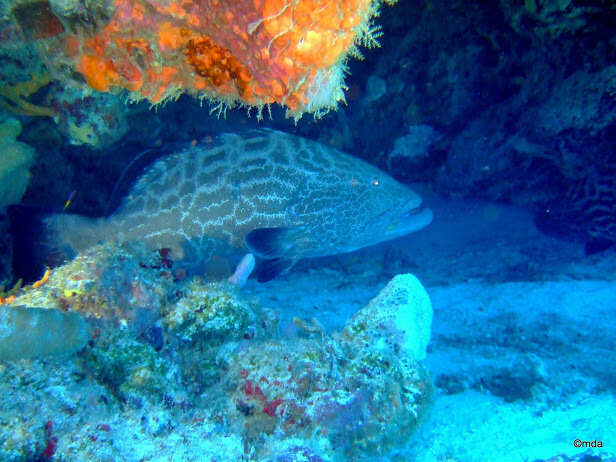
(273, 194)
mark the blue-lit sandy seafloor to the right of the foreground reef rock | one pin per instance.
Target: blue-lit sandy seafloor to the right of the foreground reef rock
(523, 344)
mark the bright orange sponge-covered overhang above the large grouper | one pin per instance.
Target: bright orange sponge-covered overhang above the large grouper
(252, 52)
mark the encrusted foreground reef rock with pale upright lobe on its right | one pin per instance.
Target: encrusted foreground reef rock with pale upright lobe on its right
(361, 390)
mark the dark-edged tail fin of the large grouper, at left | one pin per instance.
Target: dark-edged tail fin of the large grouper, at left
(43, 240)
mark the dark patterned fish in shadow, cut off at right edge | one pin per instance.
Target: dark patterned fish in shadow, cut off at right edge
(587, 212)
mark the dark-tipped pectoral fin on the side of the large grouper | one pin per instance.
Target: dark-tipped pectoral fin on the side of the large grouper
(275, 242)
